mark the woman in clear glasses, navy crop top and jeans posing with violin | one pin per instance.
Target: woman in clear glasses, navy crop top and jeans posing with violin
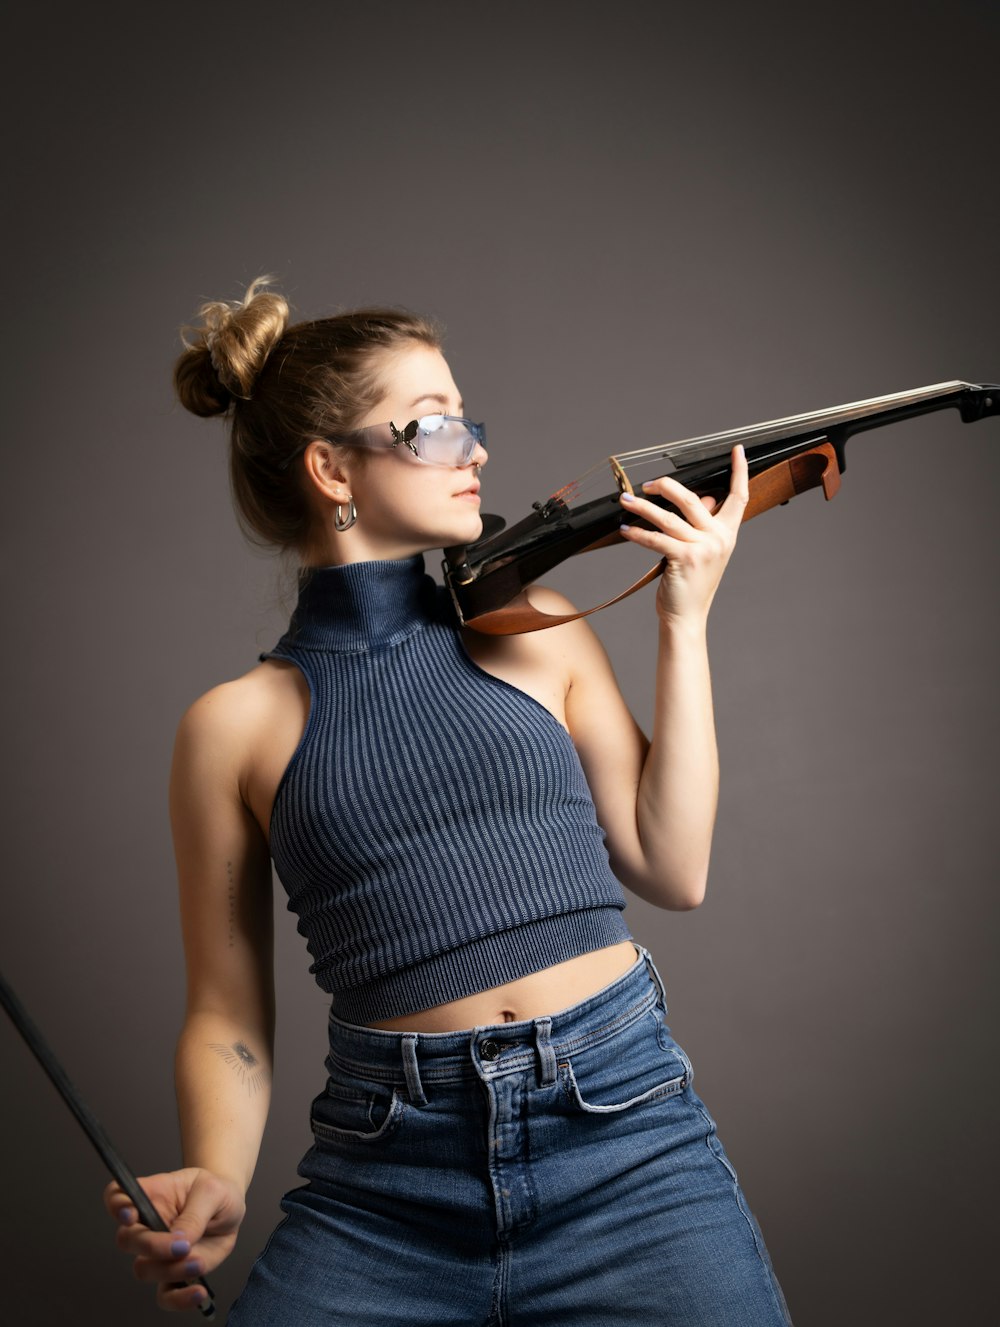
(509, 1133)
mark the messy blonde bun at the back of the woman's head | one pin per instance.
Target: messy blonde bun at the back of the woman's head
(229, 350)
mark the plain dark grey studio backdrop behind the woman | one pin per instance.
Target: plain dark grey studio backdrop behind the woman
(639, 222)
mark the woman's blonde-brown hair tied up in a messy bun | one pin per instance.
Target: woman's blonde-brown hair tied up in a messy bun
(282, 387)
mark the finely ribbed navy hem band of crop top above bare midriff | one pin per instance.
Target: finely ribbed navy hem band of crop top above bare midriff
(479, 965)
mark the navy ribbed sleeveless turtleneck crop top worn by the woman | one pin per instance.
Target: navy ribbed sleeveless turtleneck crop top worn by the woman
(434, 829)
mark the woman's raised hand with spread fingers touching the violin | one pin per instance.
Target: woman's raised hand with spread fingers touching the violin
(697, 543)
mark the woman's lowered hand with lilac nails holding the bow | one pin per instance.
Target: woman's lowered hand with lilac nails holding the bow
(204, 1214)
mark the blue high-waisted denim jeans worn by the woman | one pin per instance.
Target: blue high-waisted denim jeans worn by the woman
(559, 1171)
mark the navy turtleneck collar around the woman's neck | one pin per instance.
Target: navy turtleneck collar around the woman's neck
(363, 606)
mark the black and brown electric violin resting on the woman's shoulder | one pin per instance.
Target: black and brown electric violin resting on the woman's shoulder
(489, 579)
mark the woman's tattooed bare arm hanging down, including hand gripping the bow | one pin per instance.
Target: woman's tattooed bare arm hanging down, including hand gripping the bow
(225, 1052)
